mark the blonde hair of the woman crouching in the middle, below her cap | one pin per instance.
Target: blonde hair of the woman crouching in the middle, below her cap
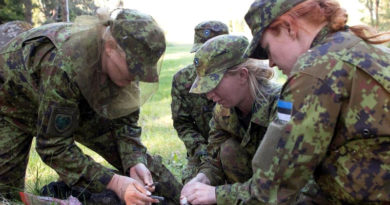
(258, 73)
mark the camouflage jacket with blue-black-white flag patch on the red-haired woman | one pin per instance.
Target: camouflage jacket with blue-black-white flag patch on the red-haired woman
(338, 130)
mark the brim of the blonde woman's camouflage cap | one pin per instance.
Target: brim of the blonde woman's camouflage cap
(207, 83)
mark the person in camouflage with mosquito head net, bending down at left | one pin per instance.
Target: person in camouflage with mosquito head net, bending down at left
(81, 82)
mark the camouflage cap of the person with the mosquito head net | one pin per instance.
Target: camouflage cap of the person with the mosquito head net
(143, 41)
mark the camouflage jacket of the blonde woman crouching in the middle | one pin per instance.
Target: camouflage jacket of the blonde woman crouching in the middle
(225, 124)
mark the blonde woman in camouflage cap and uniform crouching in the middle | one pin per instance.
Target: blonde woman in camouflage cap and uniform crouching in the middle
(244, 97)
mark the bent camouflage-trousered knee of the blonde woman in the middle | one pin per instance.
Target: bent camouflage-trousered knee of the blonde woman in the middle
(236, 161)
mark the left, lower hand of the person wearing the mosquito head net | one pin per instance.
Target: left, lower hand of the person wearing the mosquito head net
(130, 191)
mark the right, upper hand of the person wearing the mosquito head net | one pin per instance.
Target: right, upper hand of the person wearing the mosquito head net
(142, 174)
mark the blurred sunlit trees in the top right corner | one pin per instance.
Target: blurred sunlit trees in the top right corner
(379, 14)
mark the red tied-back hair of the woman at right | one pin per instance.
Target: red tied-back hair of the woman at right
(319, 11)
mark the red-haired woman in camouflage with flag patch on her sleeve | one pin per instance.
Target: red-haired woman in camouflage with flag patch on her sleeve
(333, 113)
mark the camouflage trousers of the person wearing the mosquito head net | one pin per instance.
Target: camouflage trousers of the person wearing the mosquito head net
(15, 146)
